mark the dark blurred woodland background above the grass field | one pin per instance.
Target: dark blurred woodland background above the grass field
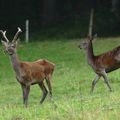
(61, 18)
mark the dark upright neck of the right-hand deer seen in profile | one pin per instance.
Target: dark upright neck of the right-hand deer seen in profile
(90, 54)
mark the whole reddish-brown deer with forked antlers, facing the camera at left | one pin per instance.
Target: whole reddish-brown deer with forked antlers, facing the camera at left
(29, 73)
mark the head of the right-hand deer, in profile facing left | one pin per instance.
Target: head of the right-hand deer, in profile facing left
(84, 45)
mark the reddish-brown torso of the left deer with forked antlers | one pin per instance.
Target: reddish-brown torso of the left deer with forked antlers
(37, 70)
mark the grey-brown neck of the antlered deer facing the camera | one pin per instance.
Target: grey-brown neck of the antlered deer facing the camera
(15, 64)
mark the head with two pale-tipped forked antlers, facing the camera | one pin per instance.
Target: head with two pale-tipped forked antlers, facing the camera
(10, 47)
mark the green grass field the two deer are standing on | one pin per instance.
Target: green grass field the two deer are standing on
(71, 84)
